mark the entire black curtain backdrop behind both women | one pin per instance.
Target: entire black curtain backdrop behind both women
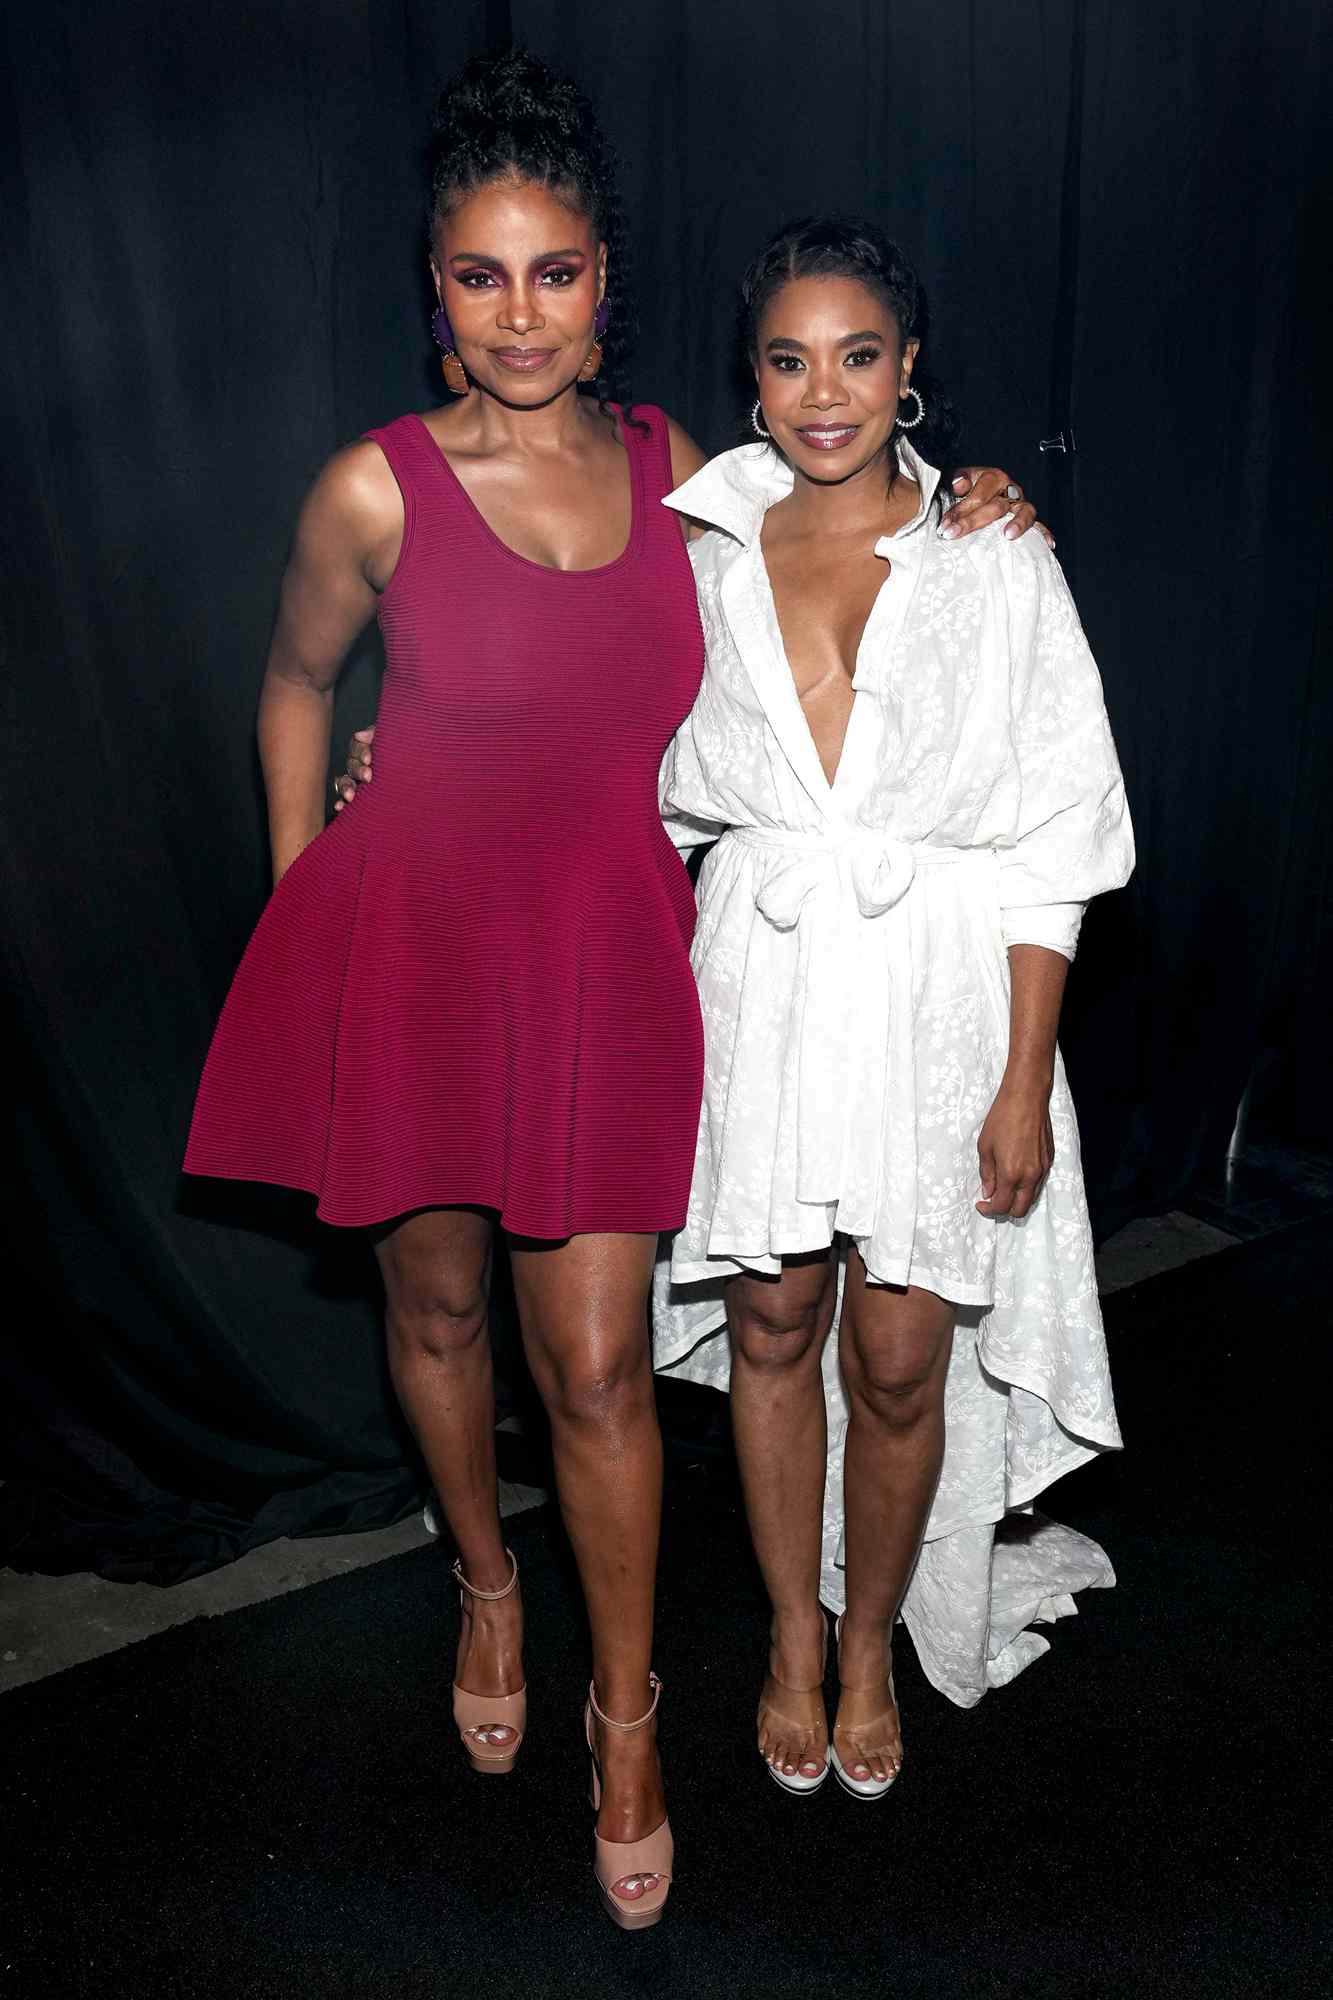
(213, 275)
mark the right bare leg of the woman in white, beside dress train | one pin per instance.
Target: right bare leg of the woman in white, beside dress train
(896, 1357)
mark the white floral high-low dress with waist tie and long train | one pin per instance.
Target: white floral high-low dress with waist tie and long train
(856, 999)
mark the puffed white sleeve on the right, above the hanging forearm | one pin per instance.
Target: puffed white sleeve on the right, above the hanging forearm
(1072, 837)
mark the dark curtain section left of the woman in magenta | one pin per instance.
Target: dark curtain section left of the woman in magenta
(213, 275)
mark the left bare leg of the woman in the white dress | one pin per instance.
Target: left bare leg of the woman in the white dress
(778, 1411)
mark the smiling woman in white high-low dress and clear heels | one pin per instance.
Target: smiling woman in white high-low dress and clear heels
(904, 747)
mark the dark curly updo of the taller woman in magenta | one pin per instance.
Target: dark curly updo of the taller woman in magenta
(515, 117)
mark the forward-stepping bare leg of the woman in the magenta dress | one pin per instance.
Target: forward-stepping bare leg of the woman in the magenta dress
(583, 1307)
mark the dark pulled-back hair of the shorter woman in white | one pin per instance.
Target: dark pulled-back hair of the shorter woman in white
(844, 247)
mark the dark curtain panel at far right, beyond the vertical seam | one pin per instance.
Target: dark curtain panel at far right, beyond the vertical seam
(1202, 505)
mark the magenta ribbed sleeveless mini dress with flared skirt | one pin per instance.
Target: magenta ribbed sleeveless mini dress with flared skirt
(475, 985)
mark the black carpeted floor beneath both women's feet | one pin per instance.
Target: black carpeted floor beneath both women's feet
(273, 1805)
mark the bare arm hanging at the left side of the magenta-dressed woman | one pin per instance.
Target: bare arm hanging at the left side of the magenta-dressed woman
(347, 543)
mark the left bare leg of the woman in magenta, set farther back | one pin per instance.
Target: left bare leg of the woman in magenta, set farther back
(435, 1271)
